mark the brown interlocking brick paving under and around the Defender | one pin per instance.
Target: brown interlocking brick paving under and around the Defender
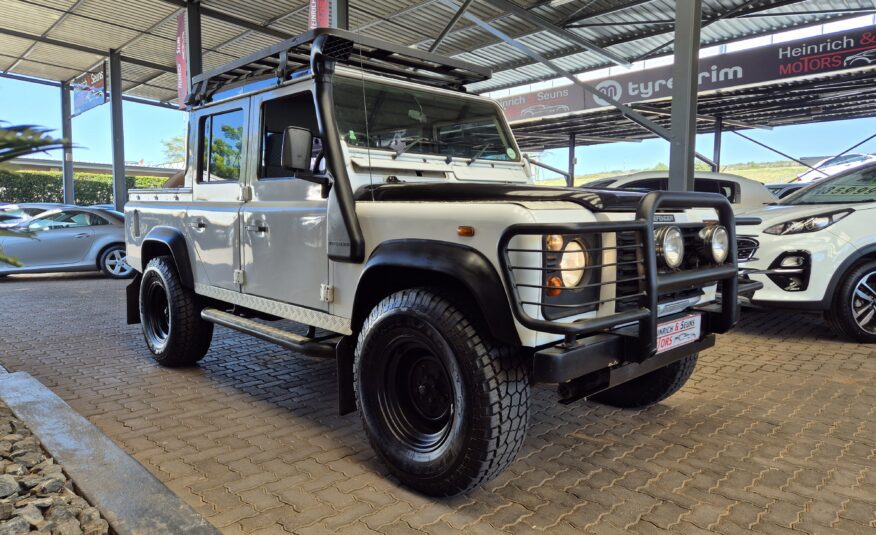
(776, 432)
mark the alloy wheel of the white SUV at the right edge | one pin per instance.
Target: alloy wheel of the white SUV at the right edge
(852, 313)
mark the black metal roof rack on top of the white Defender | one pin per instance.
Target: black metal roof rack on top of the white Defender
(343, 47)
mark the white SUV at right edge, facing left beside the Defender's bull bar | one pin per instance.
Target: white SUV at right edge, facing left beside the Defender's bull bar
(816, 250)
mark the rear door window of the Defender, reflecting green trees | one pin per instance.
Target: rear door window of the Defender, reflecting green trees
(222, 143)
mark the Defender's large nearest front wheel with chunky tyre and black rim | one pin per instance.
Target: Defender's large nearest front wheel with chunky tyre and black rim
(444, 407)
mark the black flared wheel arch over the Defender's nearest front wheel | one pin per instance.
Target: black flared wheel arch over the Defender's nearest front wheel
(407, 263)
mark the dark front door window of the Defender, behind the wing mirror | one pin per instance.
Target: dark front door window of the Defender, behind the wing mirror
(293, 110)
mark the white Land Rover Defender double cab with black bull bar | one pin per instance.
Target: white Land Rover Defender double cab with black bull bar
(352, 186)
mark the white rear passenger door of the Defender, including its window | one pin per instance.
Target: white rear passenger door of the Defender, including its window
(213, 218)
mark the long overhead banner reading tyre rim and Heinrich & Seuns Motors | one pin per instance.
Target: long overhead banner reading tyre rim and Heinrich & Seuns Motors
(793, 59)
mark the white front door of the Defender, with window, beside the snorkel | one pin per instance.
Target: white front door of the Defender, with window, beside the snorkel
(284, 223)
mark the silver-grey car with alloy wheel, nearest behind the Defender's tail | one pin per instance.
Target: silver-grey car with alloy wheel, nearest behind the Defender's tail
(70, 239)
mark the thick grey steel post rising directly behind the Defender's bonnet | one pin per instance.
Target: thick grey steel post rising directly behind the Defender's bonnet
(688, 21)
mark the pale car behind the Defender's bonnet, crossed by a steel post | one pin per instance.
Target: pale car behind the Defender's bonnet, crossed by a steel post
(743, 193)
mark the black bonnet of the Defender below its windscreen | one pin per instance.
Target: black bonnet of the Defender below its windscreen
(595, 200)
